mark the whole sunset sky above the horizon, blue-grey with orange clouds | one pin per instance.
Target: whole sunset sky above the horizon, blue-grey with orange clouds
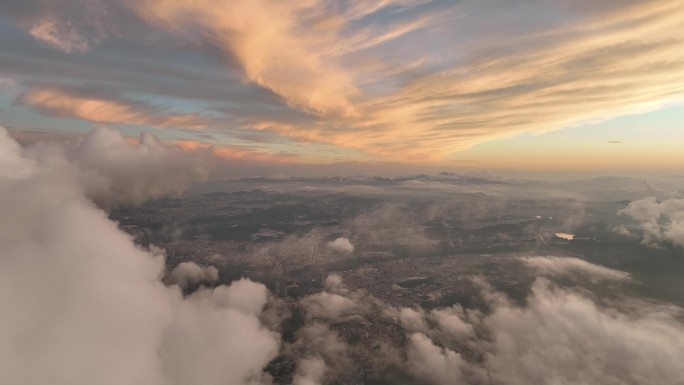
(535, 85)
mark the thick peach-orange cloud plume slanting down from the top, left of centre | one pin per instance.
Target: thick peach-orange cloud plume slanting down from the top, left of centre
(271, 42)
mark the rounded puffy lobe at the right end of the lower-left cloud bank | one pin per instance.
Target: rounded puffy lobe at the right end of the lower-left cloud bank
(218, 339)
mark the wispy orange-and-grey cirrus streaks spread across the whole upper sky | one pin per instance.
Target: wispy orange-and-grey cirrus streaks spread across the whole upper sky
(408, 80)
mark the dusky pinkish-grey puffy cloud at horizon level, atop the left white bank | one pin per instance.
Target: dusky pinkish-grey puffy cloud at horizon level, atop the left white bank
(112, 170)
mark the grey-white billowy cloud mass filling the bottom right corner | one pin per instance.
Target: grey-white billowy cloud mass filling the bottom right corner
(560, 336)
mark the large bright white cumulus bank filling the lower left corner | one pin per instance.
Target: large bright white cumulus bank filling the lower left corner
(82, 304)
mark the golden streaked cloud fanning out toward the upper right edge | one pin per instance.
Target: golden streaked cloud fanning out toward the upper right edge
(515, 80)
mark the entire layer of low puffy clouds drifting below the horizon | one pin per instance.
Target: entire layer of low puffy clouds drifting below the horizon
(83, 304)
